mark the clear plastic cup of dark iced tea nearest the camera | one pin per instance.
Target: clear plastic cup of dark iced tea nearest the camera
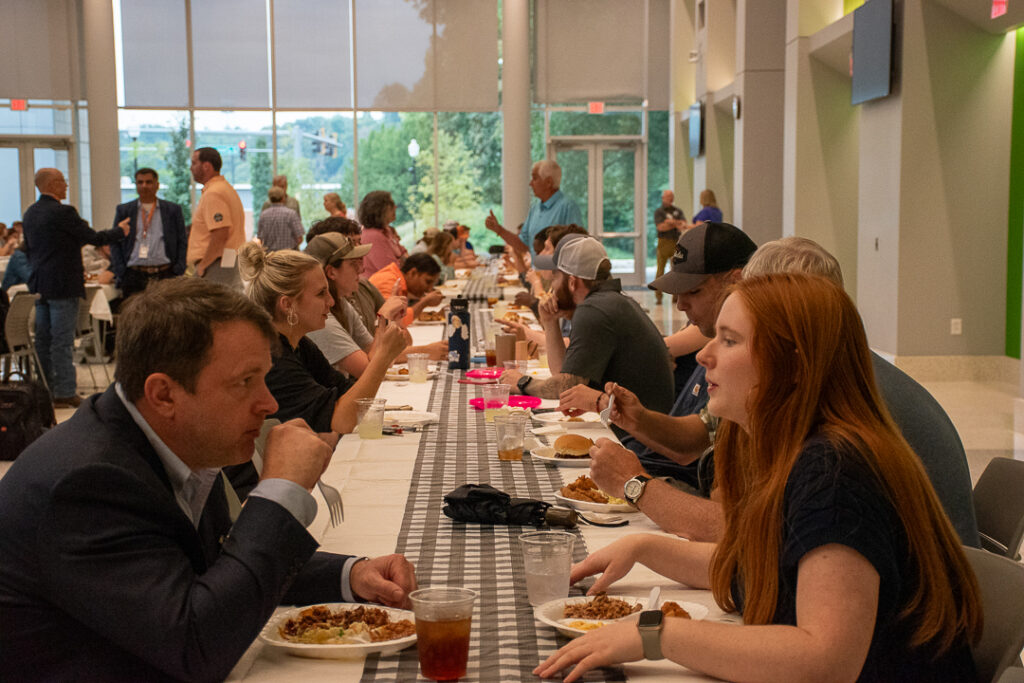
(444, 618)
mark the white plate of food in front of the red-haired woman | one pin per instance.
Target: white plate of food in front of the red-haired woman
(575, 617)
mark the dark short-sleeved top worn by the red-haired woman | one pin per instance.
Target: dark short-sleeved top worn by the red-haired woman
(833, 498)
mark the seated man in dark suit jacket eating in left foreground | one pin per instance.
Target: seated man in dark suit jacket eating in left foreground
(119, 561)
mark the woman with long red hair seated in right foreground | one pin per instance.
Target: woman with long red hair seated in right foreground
(836, 551)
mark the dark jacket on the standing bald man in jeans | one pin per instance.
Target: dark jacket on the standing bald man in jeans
(55, 235)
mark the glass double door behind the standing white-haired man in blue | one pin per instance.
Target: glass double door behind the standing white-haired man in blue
(605, 178)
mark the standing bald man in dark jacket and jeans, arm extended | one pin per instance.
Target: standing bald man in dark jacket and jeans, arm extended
(55, 235)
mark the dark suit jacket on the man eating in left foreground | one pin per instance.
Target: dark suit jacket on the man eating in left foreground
(103, 577)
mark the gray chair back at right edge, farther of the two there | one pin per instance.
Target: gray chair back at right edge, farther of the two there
(999, 505)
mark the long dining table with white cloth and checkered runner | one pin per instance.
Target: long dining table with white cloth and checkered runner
(394, 491)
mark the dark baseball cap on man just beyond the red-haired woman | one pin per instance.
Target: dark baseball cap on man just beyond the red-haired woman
(702, 251)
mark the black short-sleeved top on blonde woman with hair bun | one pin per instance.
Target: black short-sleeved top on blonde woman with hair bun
(306, 386)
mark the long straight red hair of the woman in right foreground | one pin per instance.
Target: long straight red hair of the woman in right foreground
(816, 376)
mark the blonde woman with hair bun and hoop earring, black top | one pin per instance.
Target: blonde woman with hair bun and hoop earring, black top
(291, 287)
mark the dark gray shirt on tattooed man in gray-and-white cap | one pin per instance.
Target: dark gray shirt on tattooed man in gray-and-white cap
(613, 340)
